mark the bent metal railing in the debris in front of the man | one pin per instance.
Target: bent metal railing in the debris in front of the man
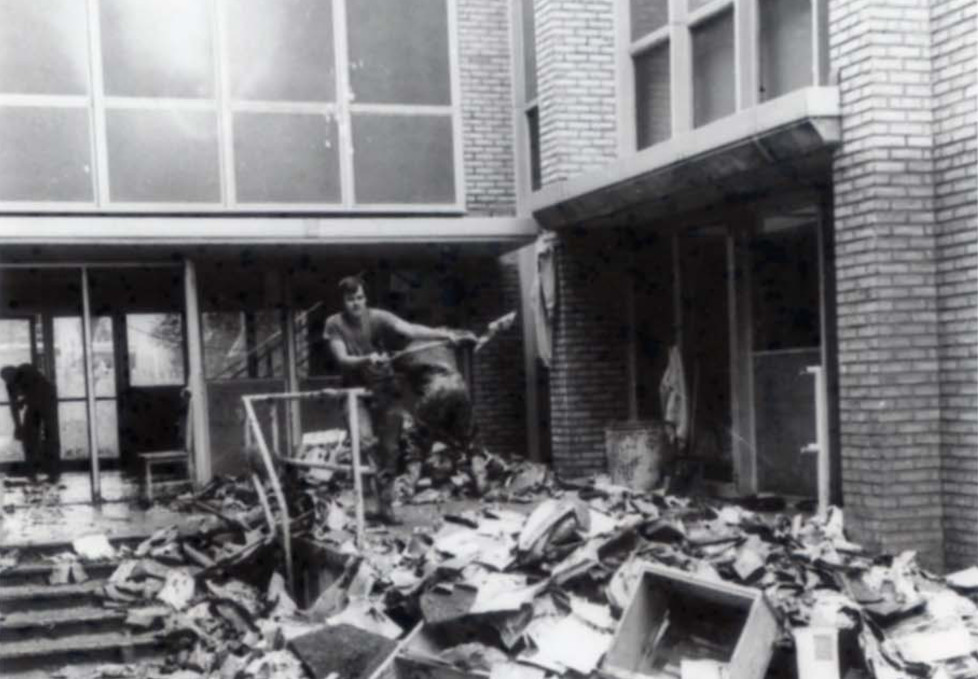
(269, 457)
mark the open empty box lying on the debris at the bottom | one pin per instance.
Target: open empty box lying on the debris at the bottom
(675, 616)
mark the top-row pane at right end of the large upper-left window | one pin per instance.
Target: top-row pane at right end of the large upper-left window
(399, 51)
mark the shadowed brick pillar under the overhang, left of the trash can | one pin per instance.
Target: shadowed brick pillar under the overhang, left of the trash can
(588, 385)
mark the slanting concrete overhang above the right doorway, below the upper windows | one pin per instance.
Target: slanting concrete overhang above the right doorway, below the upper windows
(782, 143)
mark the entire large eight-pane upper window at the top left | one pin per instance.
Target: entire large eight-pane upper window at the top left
(229, 104)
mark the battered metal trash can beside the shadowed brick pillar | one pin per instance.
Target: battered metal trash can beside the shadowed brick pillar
(637, 453)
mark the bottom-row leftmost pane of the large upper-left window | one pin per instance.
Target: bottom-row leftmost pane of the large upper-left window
(45, 154)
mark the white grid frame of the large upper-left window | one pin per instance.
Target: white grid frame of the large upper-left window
(97, 103)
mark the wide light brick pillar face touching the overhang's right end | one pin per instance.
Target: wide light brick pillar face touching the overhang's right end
(885, 253)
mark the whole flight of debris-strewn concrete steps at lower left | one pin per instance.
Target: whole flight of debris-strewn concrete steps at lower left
(46, 627)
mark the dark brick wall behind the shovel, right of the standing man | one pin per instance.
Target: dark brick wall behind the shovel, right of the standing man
(499, 376)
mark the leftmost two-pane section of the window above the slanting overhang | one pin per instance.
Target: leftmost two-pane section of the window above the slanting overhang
(651, 66)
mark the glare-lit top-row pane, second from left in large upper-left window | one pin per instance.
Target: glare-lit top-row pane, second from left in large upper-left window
(157, 49)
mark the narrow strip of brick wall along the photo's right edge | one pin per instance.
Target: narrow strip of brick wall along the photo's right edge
(954, 29)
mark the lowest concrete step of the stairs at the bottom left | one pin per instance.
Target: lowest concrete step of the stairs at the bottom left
(41, 654)
